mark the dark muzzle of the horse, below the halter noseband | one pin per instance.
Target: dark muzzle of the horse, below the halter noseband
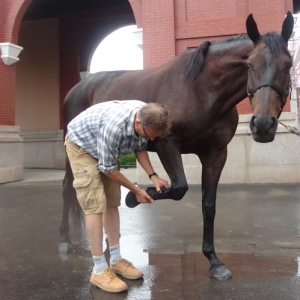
(263, 128)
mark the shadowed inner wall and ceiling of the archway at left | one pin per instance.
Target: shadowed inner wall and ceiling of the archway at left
(58, 41)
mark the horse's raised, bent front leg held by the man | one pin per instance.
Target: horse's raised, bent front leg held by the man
(168, 150)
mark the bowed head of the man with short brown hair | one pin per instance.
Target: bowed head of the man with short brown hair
(152, 121)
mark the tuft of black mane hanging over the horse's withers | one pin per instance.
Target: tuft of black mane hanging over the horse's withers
(196, 62)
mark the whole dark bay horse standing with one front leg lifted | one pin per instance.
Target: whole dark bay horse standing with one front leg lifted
(201, 89)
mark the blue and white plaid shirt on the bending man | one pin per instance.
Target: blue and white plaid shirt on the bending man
(106, 132)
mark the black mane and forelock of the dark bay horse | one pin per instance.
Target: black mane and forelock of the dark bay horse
(272, 39)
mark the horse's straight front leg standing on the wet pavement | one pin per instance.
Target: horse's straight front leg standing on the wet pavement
(212, 166)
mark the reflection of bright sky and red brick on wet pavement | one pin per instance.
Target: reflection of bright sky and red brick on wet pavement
(176, 273)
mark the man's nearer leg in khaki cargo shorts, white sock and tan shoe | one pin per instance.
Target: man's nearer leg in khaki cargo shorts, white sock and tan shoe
(92, 199)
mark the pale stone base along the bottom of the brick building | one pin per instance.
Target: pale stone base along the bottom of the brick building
(248, 162)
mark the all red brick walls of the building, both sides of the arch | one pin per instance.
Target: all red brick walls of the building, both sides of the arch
(169, 27)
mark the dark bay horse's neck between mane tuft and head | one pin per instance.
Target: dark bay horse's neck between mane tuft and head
(225, 73)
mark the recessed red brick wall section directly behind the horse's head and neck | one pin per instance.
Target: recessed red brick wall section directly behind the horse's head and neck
(197, 21)
